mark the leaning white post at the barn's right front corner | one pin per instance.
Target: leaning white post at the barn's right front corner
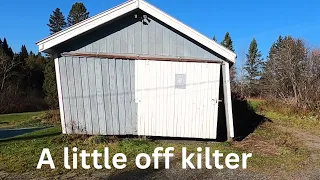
(227, 99)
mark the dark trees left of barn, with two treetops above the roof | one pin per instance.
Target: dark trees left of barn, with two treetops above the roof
(28, 80)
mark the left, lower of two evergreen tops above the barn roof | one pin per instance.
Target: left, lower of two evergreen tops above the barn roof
(56, 21)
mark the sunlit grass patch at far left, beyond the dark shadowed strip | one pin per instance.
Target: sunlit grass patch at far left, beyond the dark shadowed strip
(18, 120)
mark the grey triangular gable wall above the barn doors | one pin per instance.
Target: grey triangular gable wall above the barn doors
(131, 36)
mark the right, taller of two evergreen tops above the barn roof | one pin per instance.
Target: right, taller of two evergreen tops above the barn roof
(77, 13)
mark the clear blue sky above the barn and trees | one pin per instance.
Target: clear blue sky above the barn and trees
(24, 22)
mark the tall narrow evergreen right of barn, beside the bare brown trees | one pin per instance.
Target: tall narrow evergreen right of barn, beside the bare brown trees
(253, 66)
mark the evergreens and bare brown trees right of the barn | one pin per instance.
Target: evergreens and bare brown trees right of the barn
(290, 73)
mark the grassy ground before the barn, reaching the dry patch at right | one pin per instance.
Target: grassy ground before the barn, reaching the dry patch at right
(273, 151)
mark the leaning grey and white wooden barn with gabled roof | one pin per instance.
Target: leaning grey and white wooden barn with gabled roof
(135, 70)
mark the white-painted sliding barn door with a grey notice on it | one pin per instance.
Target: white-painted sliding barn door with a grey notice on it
(177, 99)
